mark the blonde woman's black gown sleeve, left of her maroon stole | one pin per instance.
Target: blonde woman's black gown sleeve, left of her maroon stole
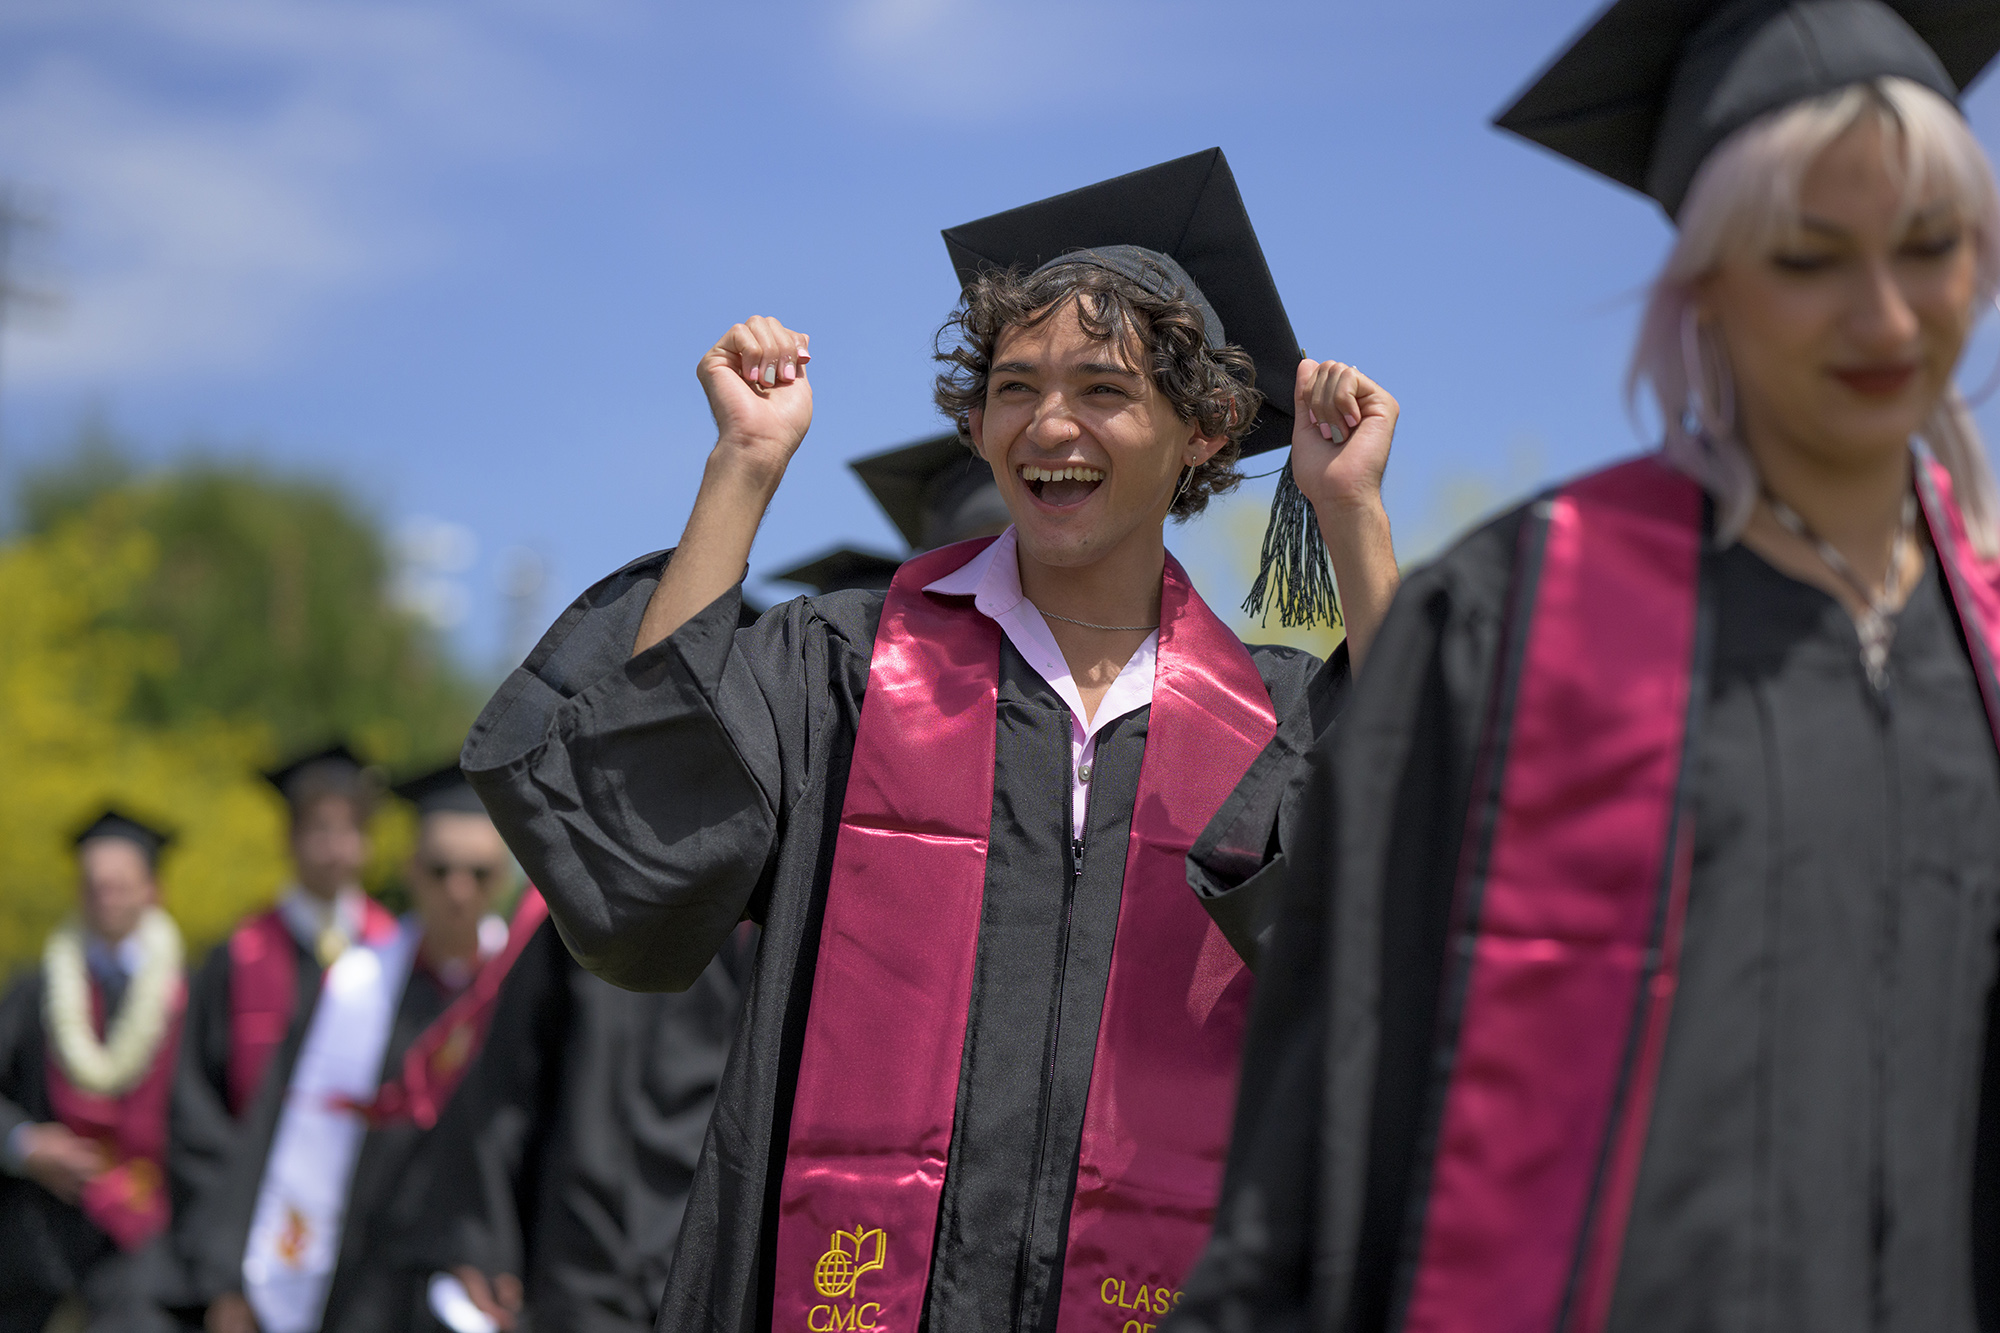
(1339, 1046)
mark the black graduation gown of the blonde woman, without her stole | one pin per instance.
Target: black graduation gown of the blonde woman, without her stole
(1819, 1106)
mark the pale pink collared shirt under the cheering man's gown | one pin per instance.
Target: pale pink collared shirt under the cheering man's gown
(993, 581)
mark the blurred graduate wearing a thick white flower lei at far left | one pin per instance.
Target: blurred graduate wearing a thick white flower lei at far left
(87, 1062)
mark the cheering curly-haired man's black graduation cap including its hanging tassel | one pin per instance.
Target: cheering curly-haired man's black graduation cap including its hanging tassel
(1181, 229)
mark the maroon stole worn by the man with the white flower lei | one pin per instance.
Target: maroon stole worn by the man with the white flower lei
(127, 1200)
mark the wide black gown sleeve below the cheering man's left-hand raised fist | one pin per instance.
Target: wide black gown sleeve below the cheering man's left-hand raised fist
(647, 796)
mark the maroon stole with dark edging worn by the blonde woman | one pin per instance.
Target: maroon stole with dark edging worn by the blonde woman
(1571, 898)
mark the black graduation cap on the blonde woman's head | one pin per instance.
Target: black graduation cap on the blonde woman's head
(1649, 89)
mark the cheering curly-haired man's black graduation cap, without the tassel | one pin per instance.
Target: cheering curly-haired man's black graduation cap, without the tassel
(1187, 213)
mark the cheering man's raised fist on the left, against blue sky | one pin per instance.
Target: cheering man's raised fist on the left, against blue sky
(757, 389)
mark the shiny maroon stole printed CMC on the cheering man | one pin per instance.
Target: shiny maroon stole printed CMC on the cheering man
(879, 1074)
